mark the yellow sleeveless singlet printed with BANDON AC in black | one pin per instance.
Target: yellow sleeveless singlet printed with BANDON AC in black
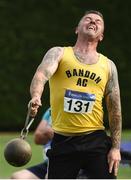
(76, 93)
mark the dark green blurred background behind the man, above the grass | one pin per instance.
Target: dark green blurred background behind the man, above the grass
(28, 28)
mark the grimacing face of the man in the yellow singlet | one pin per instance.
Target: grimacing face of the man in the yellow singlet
(91, 25)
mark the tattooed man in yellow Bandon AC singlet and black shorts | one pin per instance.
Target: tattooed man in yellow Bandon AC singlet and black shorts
(79, 78)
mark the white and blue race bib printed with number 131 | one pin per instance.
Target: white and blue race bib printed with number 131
(78, 102)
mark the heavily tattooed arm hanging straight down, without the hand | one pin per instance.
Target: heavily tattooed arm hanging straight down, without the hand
(112, 95)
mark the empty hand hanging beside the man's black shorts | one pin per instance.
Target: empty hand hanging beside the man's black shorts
(114, 158)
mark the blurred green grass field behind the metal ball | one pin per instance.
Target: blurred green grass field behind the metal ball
(6, 170)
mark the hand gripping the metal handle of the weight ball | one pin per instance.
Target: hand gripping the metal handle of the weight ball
(34, 104)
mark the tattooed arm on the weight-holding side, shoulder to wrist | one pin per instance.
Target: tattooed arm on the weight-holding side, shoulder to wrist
(45, 70)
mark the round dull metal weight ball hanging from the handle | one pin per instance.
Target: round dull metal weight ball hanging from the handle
(17, 152)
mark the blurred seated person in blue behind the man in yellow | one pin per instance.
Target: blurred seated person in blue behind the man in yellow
(43, 134)
